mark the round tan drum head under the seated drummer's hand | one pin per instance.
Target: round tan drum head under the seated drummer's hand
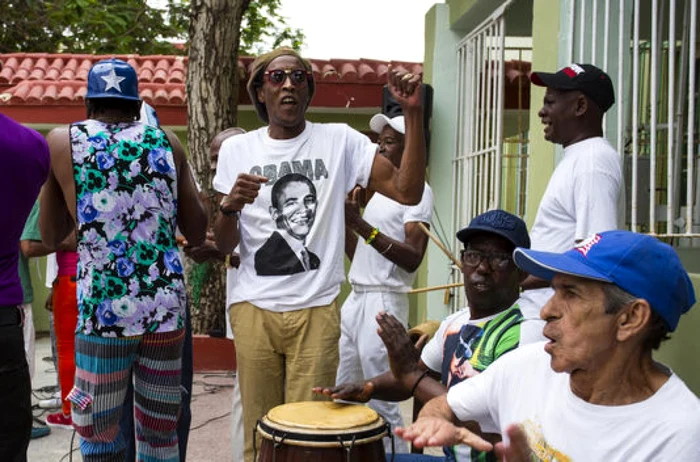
(322, 415)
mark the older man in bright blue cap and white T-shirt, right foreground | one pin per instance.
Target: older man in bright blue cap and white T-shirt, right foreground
(593, 391)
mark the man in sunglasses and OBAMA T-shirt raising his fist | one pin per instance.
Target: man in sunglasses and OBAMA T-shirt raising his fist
(287, 326)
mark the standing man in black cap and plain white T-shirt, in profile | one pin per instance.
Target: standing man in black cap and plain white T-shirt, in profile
(582, 195)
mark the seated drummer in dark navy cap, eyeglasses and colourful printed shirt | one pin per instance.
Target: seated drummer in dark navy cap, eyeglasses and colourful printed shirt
(466, 342)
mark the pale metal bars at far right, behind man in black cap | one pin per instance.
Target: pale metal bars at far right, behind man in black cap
(653, 51)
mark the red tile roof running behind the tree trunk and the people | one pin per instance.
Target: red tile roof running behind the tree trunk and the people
(57, 82)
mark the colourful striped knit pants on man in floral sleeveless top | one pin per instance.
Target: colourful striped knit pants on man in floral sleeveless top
(103, 368)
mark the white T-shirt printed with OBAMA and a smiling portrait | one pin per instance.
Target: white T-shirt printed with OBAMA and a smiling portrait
(335, 158)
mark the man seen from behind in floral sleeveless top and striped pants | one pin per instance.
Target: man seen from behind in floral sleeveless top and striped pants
(123, 186)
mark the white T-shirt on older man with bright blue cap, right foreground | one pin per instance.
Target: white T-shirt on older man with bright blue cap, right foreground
(561, 426)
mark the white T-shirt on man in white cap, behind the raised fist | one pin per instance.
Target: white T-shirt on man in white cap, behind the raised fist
(369, 267)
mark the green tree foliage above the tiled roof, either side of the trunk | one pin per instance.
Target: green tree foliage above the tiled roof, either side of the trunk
(127, 26)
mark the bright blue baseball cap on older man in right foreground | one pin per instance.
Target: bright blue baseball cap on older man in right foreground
(636, 263)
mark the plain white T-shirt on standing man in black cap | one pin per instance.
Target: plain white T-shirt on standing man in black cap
(580, 200)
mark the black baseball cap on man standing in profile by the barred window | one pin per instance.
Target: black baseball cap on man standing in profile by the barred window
(588, 79)
